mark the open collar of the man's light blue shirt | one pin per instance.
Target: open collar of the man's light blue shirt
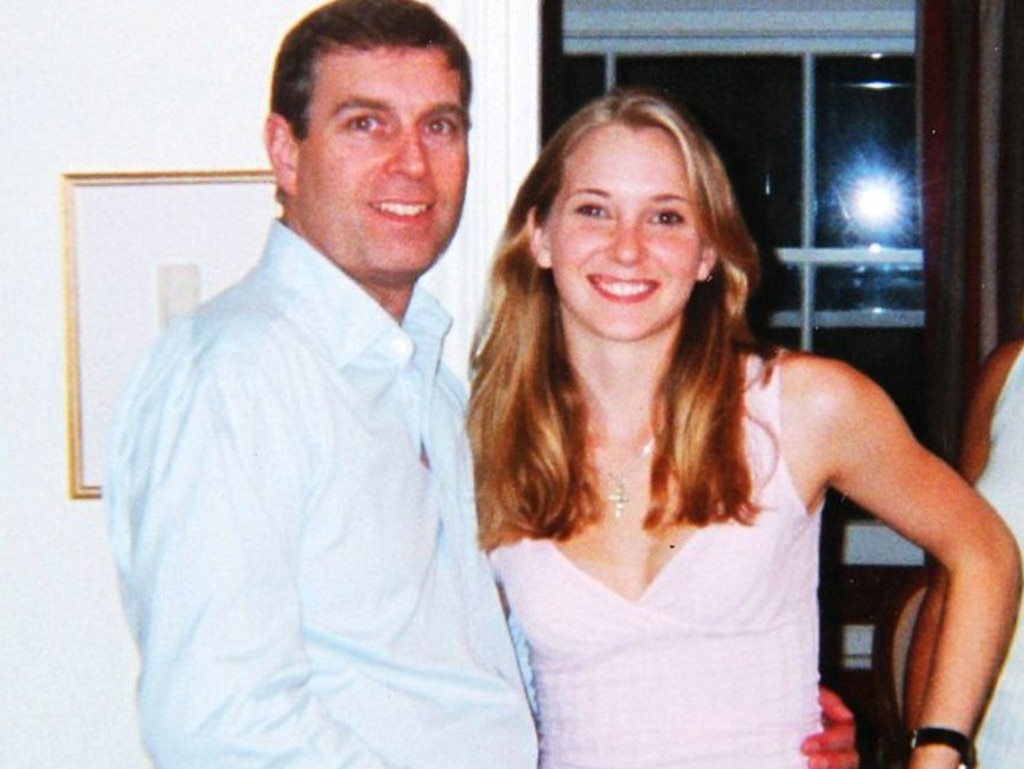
(340, 313)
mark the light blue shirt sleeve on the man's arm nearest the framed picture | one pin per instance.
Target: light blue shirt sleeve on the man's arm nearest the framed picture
(207, 488)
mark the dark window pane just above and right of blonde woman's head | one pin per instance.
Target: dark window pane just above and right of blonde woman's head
(751, 108)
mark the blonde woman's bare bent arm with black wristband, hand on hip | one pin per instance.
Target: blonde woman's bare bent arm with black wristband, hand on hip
(841, 431)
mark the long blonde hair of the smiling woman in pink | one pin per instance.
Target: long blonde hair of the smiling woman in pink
(528, 421)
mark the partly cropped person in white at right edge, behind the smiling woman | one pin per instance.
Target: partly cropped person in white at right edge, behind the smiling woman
(991, 458)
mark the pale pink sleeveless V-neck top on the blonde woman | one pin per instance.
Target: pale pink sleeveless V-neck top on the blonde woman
(714, 667)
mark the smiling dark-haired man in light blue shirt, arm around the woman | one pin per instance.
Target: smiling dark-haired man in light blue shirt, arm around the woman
(289, 483)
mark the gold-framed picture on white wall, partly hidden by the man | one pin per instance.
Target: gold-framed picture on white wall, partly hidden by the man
(141, 249)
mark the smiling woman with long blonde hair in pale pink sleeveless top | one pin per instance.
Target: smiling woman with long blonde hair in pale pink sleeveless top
(651, 478)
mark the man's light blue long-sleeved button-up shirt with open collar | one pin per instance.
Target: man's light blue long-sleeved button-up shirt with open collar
(290, 495)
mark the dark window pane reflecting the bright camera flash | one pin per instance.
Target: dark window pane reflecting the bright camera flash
(866, 143)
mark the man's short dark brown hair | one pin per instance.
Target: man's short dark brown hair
(364, 25)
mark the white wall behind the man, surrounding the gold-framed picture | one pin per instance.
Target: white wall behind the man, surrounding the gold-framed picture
(121, 86)
